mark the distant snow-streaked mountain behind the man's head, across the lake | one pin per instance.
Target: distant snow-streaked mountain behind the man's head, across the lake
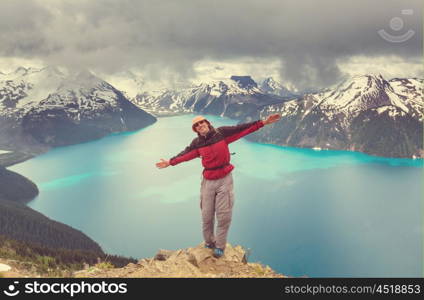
(235, 97)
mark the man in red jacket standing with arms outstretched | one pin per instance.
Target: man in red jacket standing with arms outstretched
(217, 190)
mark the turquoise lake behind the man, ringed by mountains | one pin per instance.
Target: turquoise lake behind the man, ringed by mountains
(300, 211)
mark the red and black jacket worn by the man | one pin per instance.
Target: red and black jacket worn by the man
(213, 148)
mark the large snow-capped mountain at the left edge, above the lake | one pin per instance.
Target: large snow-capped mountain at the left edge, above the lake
(47, 107)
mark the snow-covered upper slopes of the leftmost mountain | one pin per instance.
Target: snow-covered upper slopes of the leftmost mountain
(39, 89)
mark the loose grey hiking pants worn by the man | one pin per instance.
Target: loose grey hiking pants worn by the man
(217, 196)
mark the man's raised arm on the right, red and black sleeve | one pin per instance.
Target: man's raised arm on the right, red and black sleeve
(233, 133)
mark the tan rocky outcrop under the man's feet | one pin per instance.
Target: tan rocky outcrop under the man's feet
(194, 262)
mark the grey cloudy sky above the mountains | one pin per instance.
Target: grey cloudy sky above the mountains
(304, 43)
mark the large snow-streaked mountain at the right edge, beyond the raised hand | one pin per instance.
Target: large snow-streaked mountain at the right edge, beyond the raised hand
(364, 113)
